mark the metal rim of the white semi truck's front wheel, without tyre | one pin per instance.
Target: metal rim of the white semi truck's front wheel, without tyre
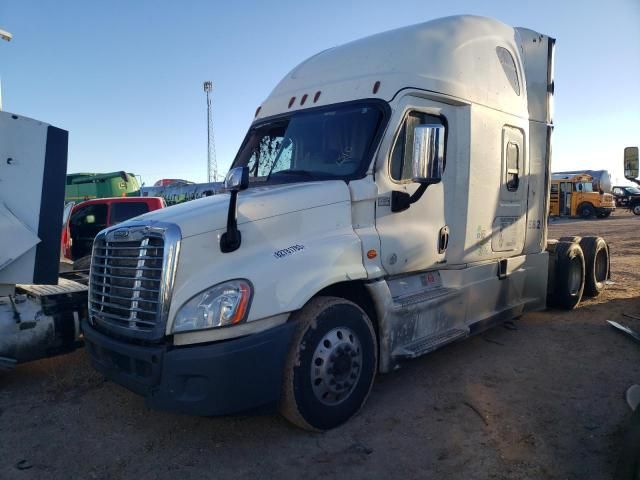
(336, 366)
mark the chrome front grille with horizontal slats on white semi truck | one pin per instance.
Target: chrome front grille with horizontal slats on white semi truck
(132, 269)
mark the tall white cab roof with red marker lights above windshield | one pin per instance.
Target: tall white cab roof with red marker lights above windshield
(459, 56)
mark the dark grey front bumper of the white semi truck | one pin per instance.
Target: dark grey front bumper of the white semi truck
(206, 379)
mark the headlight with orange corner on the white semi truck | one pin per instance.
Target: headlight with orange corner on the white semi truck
(219, 306)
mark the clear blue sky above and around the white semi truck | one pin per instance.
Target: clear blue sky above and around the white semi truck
(125, 77)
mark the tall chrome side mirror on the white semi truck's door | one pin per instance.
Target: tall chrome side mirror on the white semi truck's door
(428, 153)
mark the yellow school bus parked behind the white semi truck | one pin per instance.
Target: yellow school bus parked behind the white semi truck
(573, 195)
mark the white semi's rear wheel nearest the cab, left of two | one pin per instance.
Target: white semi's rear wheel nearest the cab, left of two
(568, 272)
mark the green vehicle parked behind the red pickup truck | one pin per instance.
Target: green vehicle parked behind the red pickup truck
(85, 186)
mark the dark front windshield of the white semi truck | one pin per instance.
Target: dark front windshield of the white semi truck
(328, 143)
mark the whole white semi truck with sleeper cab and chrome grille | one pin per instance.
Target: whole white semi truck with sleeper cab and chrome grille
(389, 198)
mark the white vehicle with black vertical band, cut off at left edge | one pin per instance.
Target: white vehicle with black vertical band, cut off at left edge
(40, 312)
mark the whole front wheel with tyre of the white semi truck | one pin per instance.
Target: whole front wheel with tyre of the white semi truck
(331, 364)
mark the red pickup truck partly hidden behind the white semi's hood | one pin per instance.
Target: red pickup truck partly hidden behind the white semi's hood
(86, 219)
